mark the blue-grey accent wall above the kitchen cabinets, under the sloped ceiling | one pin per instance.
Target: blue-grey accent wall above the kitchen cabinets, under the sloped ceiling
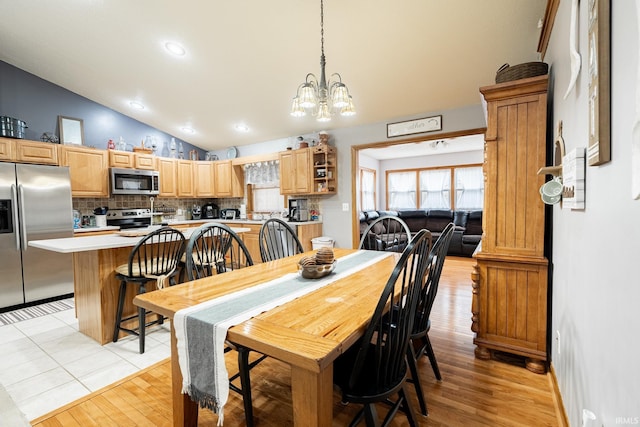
(38, 102)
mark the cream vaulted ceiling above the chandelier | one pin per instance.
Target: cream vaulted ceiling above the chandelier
(245, 59)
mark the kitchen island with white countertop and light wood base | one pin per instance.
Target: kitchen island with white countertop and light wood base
(95, 259)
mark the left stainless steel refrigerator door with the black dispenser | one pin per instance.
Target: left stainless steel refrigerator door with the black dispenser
(10, 262)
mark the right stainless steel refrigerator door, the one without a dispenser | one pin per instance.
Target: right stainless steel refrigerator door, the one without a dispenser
(45, 208)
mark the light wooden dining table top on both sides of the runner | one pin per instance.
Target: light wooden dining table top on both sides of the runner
(308, 332)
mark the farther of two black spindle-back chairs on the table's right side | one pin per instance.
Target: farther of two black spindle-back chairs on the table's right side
(420, 343)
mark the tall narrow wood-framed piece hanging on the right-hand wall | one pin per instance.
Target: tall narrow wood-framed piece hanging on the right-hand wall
(599, 150)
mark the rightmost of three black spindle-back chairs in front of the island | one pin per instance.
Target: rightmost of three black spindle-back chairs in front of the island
(278, 240)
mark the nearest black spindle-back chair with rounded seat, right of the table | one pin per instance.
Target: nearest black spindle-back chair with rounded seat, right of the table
(375, 369)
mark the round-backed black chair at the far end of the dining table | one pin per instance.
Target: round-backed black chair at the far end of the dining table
(386, 233)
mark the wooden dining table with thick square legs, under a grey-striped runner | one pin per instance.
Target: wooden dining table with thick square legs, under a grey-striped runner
(308, 332)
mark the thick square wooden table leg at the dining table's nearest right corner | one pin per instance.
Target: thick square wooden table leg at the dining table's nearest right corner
(312, 394)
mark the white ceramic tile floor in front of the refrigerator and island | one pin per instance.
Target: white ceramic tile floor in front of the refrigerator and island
(46, 363)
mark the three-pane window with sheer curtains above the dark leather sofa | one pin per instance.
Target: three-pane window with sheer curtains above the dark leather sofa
(455, 187)
